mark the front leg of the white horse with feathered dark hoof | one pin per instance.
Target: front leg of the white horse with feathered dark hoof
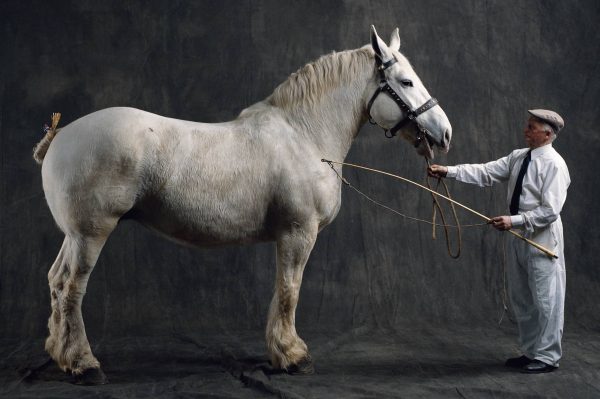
(286, 349)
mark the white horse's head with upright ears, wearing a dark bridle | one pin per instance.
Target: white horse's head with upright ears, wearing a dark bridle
(398, 101)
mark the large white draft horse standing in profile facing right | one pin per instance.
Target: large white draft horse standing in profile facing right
(256, 178)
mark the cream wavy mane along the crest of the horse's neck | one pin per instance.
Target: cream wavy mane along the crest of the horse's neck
(305, 86)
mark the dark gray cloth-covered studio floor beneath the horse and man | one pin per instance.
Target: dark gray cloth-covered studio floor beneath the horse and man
(417, 361)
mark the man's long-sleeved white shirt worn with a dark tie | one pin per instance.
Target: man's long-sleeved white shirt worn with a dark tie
(545, 183)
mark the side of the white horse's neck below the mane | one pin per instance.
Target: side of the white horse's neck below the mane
(332, 123)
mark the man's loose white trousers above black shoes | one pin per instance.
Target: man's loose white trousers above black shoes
(536, 286)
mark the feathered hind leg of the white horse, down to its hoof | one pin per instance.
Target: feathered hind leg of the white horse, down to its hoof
(67, 343)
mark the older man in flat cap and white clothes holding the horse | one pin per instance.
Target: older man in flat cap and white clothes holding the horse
(538, 179)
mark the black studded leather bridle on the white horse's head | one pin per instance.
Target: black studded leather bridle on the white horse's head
(410, 115)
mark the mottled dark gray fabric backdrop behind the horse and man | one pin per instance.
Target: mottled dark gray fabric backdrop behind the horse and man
(486, 61)
